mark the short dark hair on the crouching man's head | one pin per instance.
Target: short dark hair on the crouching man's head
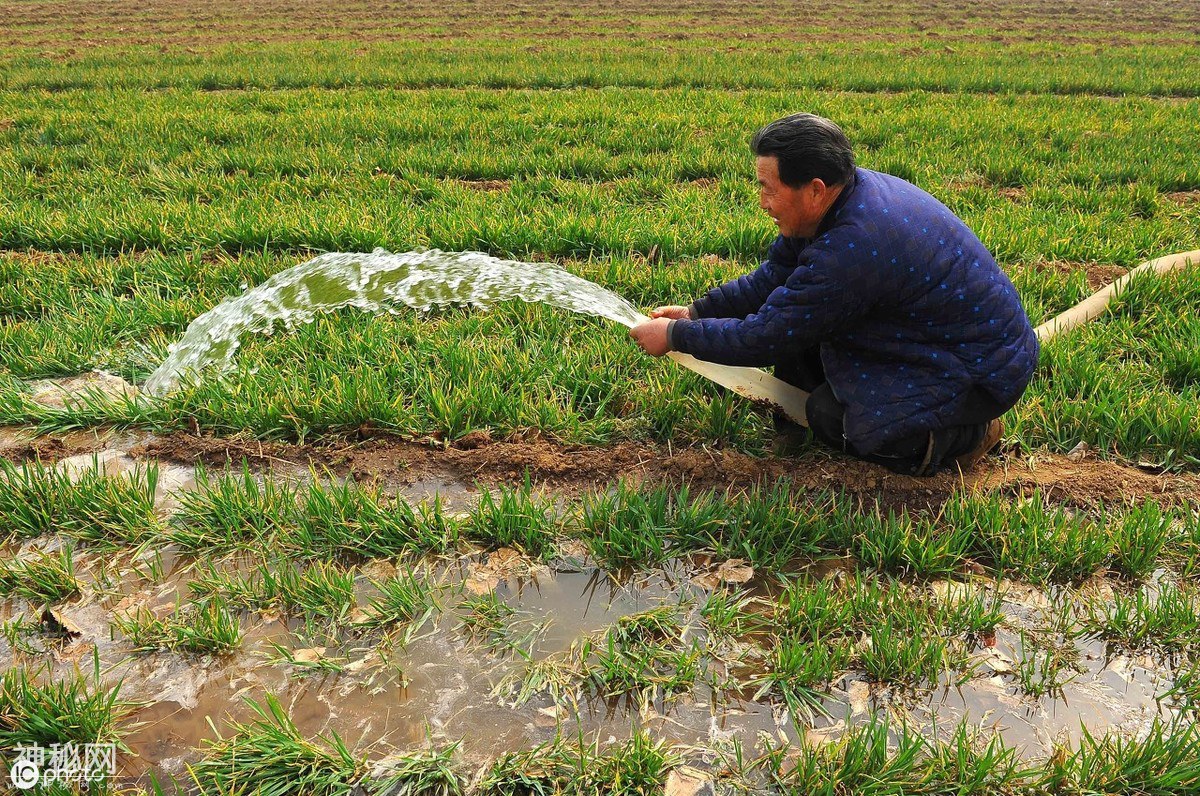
(807, 147)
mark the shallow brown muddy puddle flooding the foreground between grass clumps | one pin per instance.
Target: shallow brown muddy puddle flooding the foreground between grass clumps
(442, 683)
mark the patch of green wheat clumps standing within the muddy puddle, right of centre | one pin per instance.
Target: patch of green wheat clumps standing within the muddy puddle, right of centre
(791, 648)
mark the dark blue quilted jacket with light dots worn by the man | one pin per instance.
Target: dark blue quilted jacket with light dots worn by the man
(909, 308)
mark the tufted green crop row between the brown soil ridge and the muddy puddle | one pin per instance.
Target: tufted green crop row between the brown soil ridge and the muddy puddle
(628, 528)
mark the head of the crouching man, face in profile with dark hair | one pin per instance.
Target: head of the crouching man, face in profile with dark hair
(803, 161)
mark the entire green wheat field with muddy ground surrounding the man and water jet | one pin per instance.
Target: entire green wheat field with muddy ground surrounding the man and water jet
(503, 552)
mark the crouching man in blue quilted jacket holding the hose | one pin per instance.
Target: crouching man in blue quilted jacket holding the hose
(877, 300)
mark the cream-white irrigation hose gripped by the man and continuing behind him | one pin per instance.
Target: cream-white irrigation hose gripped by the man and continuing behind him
(761, 387)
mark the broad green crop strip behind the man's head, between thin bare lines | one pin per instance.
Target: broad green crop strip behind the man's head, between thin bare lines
(356, 170)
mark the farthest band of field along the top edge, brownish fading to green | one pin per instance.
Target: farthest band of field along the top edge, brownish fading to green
(897, 46)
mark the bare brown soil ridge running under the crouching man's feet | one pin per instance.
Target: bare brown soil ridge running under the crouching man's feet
(1081, 481)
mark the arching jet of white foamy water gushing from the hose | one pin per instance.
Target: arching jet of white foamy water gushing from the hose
(377, 283)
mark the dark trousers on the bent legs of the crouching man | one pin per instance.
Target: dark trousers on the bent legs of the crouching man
(921, 454)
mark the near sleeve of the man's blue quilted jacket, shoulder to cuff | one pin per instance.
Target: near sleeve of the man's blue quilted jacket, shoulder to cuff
(825, 296)
